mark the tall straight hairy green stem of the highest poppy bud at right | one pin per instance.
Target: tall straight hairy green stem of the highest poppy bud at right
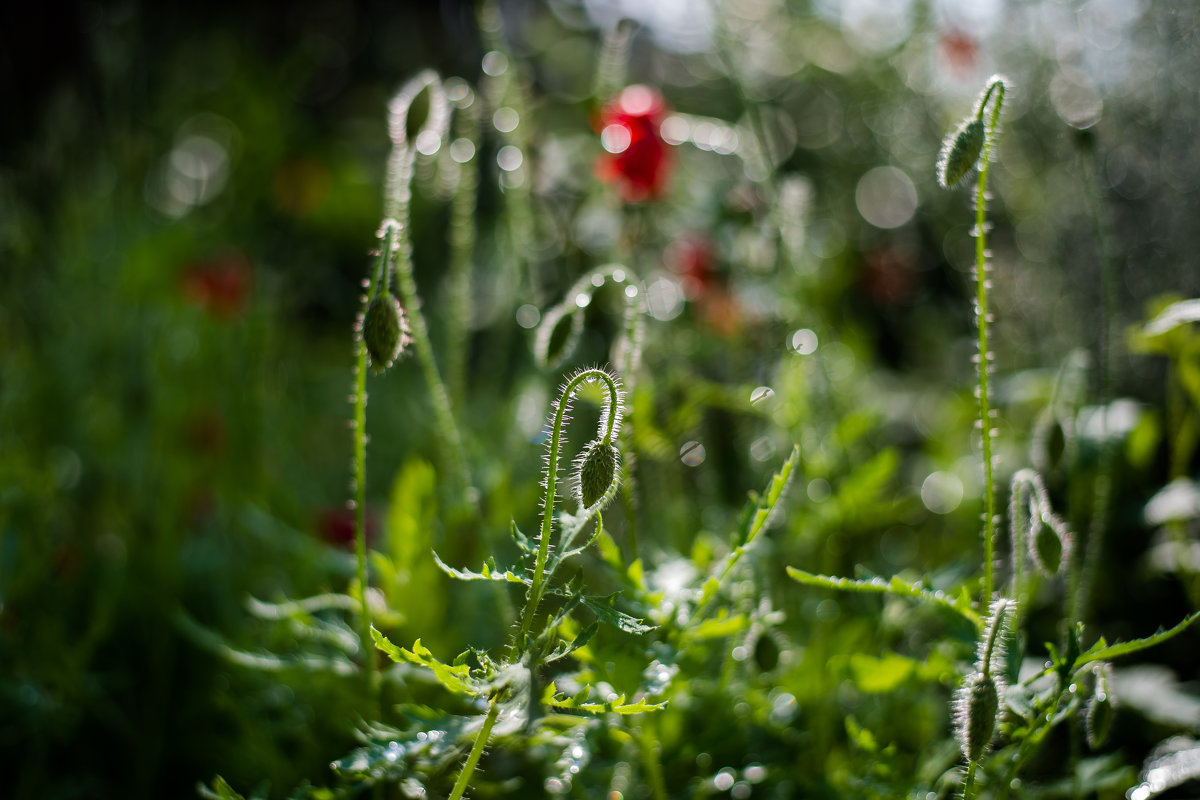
(982, 318)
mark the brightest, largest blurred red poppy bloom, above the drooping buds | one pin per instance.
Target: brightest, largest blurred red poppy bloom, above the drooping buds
(637, 158)
